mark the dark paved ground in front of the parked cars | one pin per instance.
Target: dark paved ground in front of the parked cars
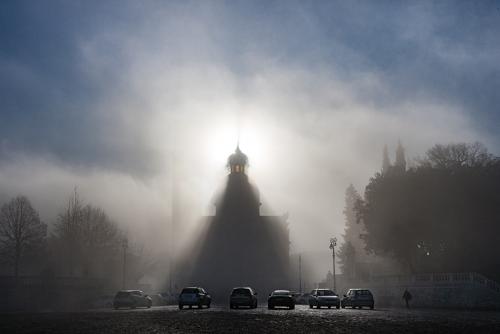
(261, 320)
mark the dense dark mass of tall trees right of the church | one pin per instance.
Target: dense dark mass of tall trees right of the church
(440, 215)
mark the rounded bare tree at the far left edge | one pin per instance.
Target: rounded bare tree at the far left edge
(20, 230)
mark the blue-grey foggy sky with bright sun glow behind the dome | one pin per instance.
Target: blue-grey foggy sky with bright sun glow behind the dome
(121, 97)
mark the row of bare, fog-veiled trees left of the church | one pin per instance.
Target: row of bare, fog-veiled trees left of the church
(83, 242)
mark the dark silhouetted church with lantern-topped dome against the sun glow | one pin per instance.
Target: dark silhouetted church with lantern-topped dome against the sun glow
(241, 247)
